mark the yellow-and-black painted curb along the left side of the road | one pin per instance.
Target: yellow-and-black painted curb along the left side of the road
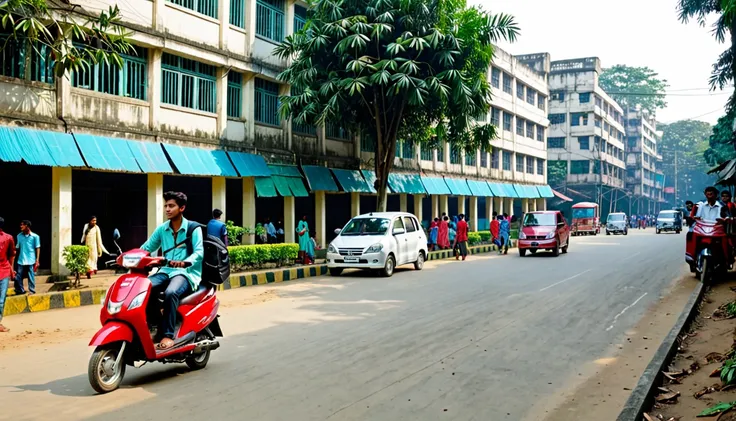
(94, 290)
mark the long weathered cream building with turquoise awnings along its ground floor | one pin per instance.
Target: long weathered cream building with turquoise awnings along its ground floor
(195, 109)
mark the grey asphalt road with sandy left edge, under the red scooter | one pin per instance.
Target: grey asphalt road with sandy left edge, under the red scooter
(478, 340)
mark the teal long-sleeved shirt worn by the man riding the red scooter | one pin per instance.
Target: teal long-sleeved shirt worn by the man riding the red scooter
(163, 238)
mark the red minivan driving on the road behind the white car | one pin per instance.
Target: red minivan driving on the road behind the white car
(544, 230)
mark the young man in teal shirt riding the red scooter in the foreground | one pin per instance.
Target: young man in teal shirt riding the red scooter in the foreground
(176, 280)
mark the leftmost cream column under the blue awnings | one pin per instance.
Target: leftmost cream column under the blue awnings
(61, 216)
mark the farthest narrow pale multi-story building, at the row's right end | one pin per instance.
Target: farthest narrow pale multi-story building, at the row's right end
(644, 175)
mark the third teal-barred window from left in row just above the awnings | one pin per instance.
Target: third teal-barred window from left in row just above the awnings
(188, 83)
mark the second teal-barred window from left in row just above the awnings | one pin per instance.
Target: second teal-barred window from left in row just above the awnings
(129, 81)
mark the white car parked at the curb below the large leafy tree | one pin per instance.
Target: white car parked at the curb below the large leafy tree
(378, 240)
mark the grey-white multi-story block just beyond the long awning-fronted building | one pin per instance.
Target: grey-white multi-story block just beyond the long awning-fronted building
(586, 135)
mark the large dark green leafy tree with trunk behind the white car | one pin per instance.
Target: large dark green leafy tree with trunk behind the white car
(395, 69)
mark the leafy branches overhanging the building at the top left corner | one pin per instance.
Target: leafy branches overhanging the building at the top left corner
(72, 40)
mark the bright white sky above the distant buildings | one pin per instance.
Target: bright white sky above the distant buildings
(630, 32)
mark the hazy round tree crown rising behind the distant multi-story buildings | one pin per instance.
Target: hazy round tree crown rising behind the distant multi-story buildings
(632, 86)
